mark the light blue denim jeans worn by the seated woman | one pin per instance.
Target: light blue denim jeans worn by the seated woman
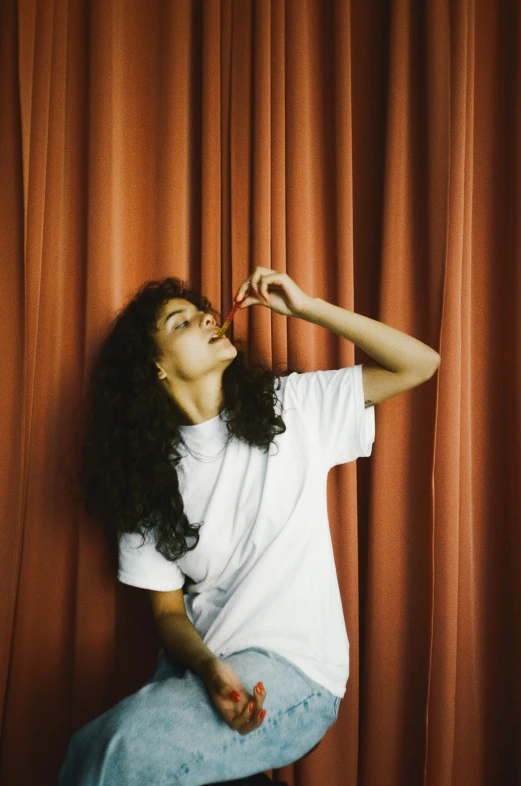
(169, 733)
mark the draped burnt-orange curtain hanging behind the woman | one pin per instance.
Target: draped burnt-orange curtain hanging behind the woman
(370, 150)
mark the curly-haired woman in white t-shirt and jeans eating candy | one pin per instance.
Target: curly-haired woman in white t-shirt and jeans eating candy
(210, 477)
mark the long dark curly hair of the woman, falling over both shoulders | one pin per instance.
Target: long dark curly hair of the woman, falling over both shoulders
(130, 441)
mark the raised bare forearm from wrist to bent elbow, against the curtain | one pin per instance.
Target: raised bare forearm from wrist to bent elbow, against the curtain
(392, 349)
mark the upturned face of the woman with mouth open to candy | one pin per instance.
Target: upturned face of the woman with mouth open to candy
(183, 339)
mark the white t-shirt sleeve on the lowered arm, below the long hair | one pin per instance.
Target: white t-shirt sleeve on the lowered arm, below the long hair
(143, 566)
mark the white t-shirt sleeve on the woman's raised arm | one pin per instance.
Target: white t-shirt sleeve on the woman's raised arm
(332, 404)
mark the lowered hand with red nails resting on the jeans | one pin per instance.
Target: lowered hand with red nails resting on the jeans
(240, 710)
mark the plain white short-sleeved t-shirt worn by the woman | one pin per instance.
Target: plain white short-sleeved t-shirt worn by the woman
(263, 573)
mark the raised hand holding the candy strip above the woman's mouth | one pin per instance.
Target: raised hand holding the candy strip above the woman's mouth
(273, 289)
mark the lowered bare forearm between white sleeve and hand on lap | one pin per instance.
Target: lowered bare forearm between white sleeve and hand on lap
(183, 641)
